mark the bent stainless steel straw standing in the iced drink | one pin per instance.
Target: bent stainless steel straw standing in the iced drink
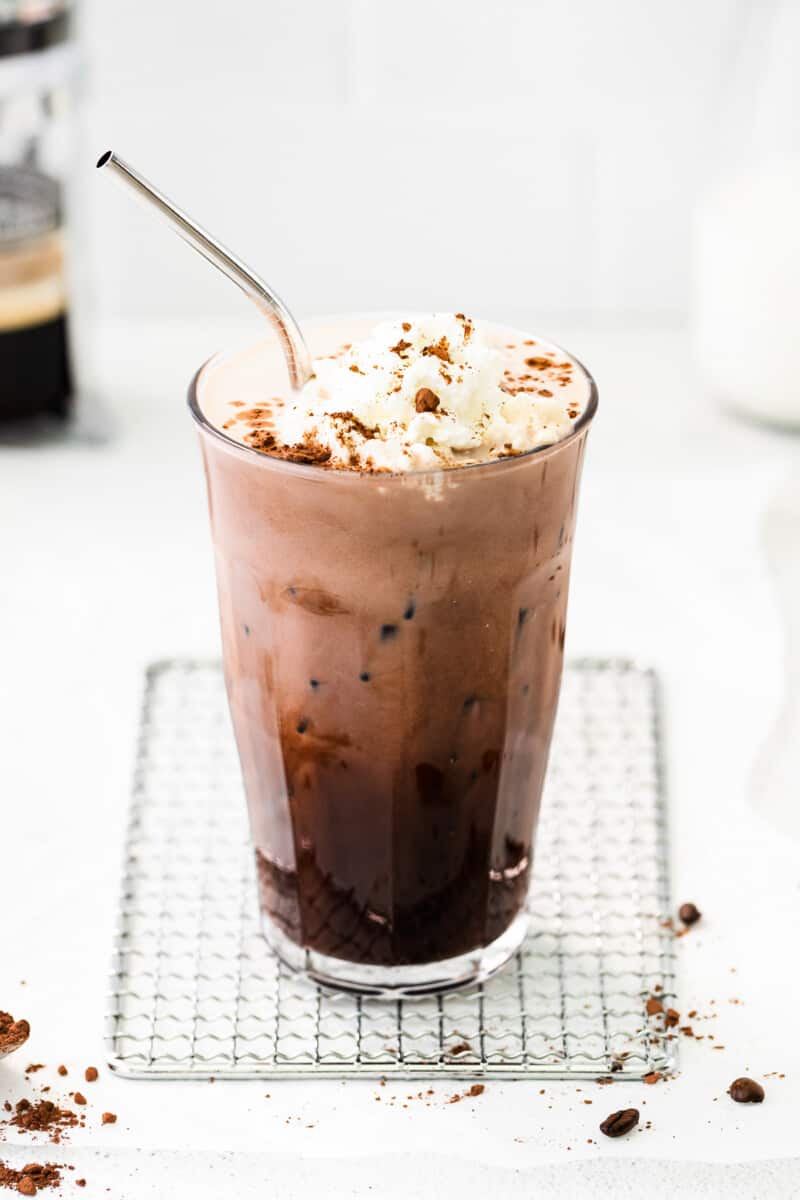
(263, 297)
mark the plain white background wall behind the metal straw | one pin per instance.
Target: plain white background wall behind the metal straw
(500, 157)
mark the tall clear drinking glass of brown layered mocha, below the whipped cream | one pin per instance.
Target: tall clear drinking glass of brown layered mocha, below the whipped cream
(393, 653)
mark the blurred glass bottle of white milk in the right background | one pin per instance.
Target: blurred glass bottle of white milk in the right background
(748, 244)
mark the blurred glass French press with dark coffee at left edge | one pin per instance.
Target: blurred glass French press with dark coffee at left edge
(39, 91)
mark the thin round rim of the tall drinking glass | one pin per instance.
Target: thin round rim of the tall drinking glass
(316, 472)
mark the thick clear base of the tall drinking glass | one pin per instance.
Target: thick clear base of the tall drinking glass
(395, 983)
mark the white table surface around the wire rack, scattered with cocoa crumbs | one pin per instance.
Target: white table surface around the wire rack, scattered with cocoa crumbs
(106, 565)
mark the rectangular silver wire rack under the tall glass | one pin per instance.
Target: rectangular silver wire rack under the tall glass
(195, 989)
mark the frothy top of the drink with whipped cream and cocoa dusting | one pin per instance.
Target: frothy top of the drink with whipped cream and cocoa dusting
(418, 393)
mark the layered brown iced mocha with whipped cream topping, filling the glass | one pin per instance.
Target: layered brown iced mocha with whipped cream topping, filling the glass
(393, 567)
